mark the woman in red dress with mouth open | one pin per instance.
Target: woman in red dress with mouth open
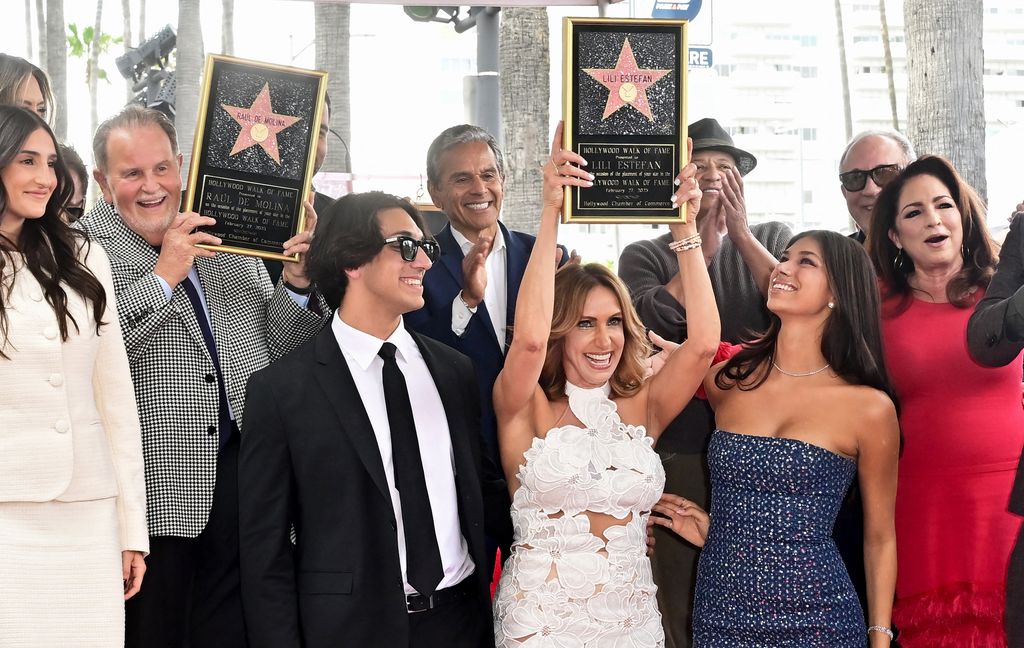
(962, 423)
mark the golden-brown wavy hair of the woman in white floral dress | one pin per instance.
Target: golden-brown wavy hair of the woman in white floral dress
(573, 284)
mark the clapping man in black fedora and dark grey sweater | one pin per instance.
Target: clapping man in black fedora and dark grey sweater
(741, 258)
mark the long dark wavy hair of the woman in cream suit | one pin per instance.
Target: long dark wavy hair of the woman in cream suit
(50, 247)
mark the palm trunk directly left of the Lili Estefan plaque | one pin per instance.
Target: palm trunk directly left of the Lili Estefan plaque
(525, 65)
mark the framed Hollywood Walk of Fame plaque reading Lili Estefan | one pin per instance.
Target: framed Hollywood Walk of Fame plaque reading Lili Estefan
(625, 112)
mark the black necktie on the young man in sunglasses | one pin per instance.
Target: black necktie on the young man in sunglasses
(423, 559)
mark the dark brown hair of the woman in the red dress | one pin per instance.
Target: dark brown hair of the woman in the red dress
(979, 252)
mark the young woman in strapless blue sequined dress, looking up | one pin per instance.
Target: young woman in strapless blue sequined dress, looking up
(801, 412)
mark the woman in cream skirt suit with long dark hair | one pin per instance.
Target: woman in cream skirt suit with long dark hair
(73, 531)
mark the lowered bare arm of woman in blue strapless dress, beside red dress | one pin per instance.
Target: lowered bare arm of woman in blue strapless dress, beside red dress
(877, 466)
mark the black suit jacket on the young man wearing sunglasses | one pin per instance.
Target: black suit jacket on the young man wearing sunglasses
(310, 459)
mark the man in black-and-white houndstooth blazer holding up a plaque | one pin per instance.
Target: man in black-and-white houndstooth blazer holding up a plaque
(190, 448)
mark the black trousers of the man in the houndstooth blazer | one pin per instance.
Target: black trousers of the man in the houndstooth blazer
(191, 595)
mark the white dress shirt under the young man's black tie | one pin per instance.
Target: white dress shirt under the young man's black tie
(360, 351)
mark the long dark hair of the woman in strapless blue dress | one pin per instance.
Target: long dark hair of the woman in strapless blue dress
(851, 341)
